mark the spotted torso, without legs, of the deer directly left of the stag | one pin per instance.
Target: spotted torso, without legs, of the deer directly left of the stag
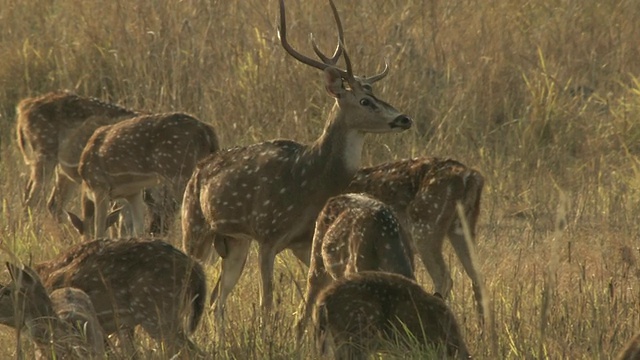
(154, 147)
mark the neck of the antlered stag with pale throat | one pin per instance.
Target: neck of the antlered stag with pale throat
(339, 148)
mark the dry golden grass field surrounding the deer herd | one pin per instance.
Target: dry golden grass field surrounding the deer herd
(494, 84)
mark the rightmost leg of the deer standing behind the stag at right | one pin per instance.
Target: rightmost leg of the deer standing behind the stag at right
(464, 252)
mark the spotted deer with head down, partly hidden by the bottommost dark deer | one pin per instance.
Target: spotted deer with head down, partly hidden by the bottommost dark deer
(353, 233)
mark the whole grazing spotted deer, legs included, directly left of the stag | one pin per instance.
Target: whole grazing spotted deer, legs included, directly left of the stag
(120, 160)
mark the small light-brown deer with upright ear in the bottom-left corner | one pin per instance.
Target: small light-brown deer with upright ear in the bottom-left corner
(62, 324)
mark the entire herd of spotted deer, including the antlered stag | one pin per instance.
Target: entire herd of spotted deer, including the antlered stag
(355, 228)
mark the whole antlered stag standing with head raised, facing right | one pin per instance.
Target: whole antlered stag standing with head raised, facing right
(273, 191)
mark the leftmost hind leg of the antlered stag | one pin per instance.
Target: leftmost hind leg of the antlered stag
(232, 266)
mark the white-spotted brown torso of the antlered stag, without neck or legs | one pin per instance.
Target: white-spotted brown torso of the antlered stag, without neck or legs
(264, 190)
